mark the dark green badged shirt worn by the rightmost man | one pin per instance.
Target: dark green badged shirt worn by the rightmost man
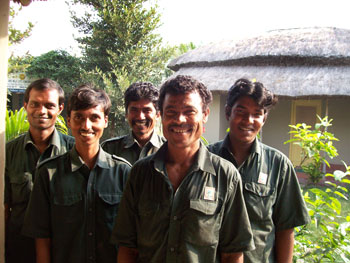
(272, 195)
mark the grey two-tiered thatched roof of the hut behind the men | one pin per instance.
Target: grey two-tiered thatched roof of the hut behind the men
(291, 62)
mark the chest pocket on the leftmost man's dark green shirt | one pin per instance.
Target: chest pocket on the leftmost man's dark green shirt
(21, 187)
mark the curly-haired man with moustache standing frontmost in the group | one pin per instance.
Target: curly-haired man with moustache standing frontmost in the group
(183, 204)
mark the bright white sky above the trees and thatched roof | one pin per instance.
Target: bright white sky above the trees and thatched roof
(184, 21)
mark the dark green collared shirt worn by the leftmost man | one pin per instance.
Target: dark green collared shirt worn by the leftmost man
(22, 158)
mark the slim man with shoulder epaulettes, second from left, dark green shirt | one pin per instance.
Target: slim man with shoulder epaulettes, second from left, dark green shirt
(76, 195)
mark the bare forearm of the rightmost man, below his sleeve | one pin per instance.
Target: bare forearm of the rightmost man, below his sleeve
(284, 245)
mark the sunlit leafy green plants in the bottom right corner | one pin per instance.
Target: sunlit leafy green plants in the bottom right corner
(327, 238)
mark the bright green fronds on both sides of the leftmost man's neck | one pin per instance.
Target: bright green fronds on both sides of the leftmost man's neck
(16, 124)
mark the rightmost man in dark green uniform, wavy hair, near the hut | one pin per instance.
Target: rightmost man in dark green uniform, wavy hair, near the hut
(270, 185)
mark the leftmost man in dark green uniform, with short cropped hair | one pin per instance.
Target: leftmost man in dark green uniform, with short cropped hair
(43, 102)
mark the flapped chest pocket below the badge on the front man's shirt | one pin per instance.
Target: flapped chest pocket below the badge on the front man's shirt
(202, 222)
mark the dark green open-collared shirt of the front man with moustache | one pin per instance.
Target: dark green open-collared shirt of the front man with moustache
(205, 217)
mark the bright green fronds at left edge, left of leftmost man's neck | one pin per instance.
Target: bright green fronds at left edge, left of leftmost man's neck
(16, 123)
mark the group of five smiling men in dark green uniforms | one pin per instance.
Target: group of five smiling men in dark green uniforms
(143, 198)
